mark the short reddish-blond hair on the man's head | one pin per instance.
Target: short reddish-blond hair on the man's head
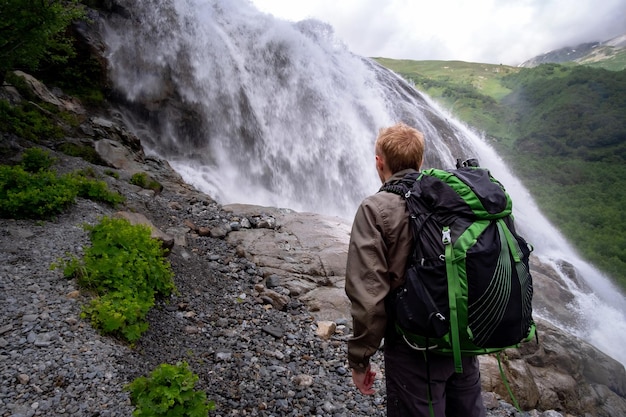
(401, 146)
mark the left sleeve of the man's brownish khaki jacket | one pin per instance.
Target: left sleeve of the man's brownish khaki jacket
(367, 283)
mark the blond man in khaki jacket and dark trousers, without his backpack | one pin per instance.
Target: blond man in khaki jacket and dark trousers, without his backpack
(380, 245)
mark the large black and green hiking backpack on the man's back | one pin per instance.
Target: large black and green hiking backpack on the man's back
(468, 288)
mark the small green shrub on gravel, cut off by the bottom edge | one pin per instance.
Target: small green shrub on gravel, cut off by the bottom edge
(169, 391)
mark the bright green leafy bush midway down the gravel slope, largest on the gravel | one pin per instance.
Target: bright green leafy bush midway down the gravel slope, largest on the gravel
(125, 268)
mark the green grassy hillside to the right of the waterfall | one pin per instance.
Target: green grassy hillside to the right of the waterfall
(562, 130)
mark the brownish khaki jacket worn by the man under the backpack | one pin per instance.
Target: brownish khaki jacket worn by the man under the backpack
(380, 244)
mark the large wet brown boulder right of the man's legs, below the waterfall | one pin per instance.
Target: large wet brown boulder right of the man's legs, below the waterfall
(561, 372)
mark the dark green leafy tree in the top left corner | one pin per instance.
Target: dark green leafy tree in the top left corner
(32, 29)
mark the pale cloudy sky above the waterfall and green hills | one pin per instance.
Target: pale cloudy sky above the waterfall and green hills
(489, 31)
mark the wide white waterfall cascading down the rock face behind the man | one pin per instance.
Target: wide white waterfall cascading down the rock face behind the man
(251, 109)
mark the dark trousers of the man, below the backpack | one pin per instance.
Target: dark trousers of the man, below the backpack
(453, 395)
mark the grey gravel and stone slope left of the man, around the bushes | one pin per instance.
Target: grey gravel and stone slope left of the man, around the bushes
(251, 358)
